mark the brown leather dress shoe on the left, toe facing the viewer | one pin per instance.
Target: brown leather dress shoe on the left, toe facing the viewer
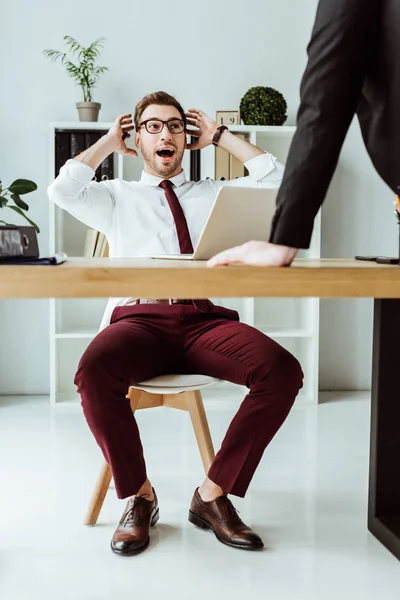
(132, 533)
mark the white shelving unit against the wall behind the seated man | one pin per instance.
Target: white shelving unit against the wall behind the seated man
(292, 322)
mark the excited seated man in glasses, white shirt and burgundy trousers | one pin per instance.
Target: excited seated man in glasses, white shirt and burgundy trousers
(164, 213)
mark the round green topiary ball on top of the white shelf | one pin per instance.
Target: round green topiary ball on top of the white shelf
(263, 106)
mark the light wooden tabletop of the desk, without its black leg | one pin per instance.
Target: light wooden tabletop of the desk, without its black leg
(150, 278)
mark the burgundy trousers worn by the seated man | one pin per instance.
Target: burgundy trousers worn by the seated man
(147, 340)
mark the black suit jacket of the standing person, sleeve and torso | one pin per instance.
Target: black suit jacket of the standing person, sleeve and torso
(353, 66)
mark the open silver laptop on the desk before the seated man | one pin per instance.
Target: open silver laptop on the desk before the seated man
(238, 215)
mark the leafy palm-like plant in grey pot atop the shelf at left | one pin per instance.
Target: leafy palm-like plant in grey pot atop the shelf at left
(85, 73)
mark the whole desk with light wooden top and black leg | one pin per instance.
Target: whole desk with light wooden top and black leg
(81, 278)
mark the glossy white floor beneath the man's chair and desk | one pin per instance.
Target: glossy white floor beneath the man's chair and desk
(307, 501)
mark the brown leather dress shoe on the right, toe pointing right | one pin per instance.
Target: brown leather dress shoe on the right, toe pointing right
(222, 518)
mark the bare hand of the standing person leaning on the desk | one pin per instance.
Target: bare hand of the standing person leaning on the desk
(261, 254)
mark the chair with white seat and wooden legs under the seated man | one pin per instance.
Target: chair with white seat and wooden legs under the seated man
(174, 391)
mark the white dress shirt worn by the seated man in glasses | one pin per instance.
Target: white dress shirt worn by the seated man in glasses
(135, 215)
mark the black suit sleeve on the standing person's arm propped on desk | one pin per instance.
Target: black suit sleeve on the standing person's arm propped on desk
(343, 42)
